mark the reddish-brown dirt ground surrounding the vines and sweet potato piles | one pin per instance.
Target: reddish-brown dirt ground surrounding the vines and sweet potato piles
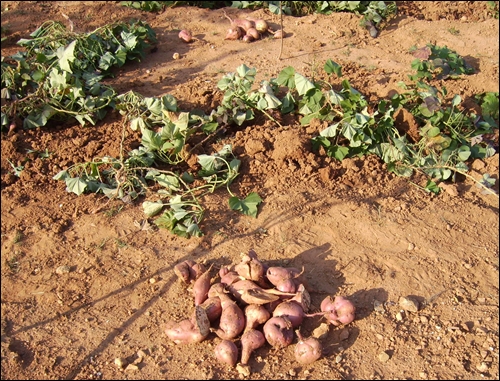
(357, 230)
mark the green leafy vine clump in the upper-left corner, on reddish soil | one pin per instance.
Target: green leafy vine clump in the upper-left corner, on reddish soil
(59, 75)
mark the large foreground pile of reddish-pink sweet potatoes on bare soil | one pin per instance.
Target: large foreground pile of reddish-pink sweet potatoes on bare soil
(250, 304)
